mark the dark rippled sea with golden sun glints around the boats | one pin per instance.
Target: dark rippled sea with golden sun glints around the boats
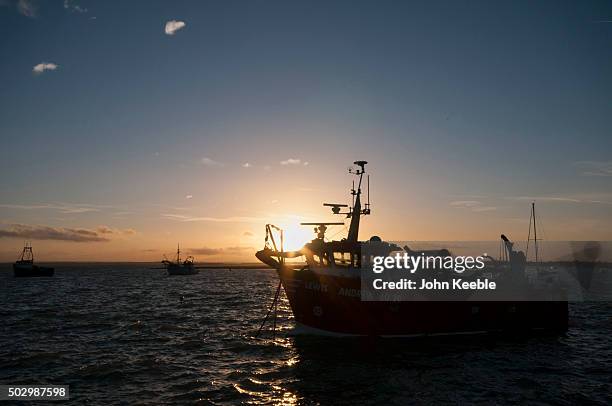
(132, 335)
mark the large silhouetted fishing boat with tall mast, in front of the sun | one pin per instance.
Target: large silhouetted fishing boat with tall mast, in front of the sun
(324, 288)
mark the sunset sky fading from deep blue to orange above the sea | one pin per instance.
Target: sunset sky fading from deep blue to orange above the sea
(129, 127)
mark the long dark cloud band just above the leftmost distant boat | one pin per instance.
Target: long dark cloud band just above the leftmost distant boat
(38, 232)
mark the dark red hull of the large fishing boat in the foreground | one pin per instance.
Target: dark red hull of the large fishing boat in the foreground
(332, 305)
